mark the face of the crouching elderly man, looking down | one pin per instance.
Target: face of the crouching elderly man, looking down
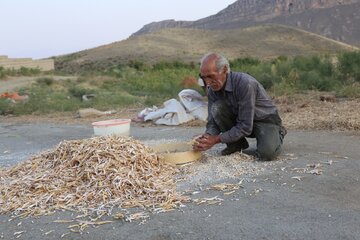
(213, 78)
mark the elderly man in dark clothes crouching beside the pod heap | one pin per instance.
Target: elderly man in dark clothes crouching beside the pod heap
(239, 107)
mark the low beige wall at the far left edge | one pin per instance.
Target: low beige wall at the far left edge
(17, 63)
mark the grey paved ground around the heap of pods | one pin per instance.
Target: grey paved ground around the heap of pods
(280, 202)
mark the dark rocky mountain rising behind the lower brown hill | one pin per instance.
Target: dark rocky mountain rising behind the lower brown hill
(336, 19)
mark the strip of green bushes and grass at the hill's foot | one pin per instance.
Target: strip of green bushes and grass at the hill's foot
(140, 84)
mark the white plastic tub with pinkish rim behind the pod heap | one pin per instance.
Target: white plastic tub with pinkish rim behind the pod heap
(120, 127)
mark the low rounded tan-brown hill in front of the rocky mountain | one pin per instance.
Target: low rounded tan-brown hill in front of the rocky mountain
(190, 44)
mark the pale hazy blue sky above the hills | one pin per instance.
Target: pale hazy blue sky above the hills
(44, 28)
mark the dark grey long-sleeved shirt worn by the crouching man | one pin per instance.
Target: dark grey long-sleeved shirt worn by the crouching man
(248, 101)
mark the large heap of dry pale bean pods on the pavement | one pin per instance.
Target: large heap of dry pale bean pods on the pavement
(94, 174)
